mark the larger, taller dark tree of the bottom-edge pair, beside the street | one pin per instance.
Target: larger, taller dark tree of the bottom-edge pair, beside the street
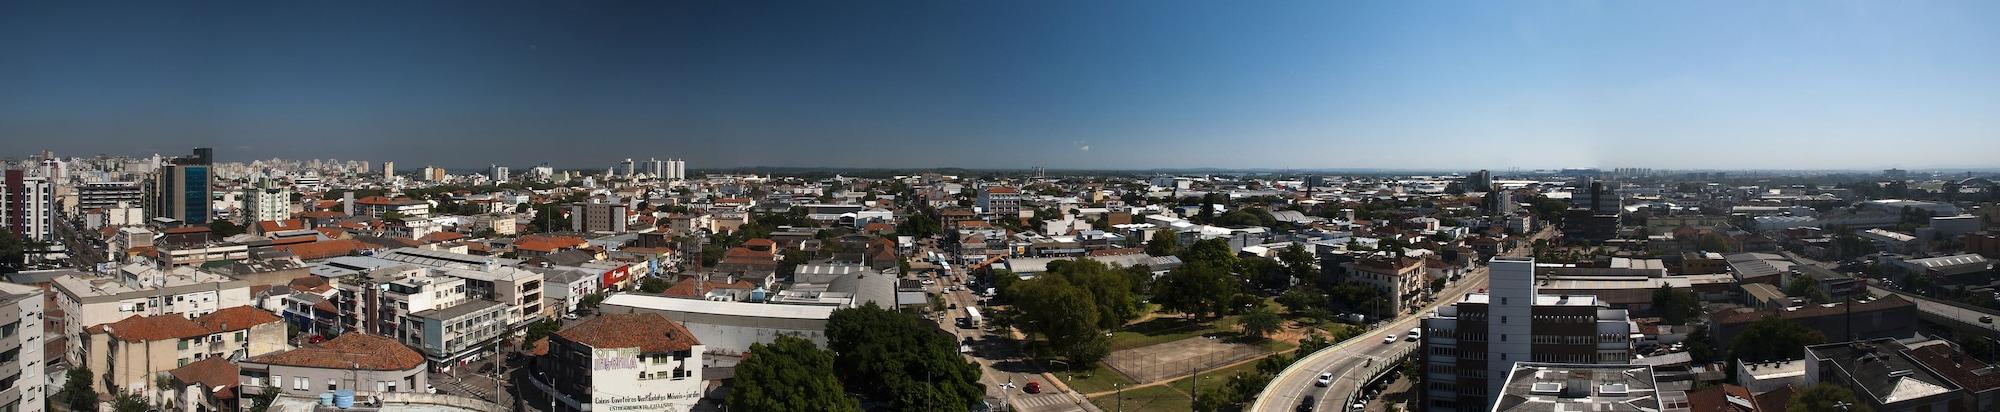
(901, 361)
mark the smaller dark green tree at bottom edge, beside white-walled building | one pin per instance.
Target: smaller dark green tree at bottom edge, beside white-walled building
(789, 375)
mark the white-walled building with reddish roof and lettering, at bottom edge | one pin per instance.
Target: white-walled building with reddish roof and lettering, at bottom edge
(621, 363)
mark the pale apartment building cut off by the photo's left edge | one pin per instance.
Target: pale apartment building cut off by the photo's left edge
(23, 381)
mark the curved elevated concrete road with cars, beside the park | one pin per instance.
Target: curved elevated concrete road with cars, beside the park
(1355, 359)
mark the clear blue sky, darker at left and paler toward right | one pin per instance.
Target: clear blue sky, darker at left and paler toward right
(1013, 85)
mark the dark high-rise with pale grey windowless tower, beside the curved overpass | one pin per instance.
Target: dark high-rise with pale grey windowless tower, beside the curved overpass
(1473, 345)
